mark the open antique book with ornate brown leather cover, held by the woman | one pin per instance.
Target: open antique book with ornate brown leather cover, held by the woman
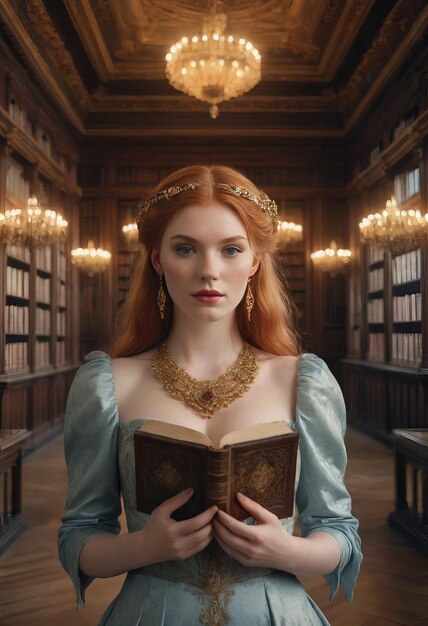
(259, 461)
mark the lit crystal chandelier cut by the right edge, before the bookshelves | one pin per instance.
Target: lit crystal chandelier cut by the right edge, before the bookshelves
(395, 229)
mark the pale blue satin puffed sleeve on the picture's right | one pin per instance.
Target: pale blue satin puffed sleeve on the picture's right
(322, 500)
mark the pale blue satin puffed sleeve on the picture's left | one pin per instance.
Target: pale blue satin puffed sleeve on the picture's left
(90, 445)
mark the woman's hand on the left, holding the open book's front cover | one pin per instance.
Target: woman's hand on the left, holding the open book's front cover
(166, 539)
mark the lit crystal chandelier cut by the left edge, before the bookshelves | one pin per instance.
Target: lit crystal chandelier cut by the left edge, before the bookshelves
(32, 226)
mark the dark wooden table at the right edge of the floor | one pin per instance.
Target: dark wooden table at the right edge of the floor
(411, 479)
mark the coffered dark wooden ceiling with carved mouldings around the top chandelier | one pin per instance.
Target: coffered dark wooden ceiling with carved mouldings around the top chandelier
(324, 62)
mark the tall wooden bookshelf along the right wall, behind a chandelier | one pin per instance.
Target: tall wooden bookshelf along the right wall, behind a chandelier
(387, 373)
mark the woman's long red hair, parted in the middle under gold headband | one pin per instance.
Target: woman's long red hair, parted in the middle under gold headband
(272, 326)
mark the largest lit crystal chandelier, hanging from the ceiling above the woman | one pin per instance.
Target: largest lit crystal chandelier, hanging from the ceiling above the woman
(213, 67)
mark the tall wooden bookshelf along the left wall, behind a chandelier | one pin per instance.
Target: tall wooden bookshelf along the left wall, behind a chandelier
(38, 312)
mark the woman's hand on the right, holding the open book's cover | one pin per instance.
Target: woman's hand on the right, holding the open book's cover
(266, 544)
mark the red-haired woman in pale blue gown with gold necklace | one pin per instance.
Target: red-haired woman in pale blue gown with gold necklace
(206, 305)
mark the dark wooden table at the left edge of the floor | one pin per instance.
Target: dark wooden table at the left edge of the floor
(12, 523)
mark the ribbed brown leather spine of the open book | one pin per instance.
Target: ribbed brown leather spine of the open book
(218, 474)
